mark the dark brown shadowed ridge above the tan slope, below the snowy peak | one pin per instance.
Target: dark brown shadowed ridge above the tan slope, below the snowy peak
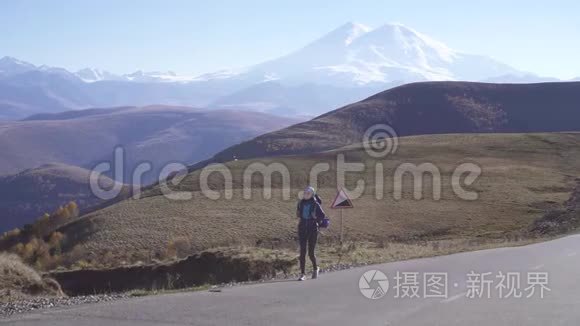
(428, 108)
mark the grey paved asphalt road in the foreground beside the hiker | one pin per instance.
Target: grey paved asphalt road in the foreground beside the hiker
(335, 298)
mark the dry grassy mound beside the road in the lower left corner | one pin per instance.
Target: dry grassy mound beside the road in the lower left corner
(18, 280)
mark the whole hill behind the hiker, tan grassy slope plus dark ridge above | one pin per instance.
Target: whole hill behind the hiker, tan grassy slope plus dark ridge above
(525, 174)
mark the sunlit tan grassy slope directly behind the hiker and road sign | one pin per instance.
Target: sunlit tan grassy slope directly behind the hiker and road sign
(524, 175)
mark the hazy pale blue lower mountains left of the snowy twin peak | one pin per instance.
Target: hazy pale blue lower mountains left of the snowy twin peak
(50, 90)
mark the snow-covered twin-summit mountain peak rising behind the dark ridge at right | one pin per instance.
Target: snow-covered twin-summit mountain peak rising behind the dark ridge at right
(354, 54)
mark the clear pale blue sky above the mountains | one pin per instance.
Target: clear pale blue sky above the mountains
(201, 36)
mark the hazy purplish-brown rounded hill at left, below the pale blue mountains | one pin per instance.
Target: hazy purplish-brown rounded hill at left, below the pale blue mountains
(154, 134)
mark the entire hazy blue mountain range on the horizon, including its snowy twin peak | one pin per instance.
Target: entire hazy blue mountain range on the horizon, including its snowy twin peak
(348, 64)
